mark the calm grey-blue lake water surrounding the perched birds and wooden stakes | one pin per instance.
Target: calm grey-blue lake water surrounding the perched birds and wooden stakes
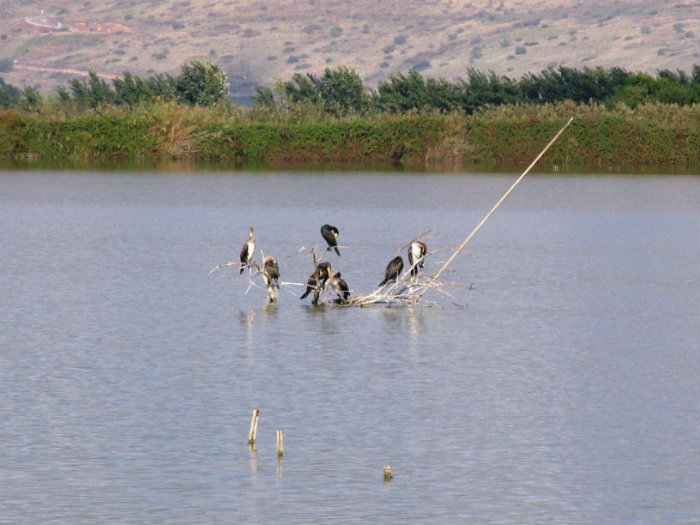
(563, 387)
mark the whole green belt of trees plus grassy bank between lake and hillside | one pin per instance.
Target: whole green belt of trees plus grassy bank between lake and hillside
(619, 118)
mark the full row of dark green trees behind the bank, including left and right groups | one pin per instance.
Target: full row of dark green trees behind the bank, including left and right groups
(341, 92)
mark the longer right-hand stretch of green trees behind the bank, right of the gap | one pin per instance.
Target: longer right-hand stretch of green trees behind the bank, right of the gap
(340, 91)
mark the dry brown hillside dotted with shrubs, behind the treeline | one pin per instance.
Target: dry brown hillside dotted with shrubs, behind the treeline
(45, 44)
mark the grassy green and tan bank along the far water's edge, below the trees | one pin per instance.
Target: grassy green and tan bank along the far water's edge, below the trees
(650, 135)
